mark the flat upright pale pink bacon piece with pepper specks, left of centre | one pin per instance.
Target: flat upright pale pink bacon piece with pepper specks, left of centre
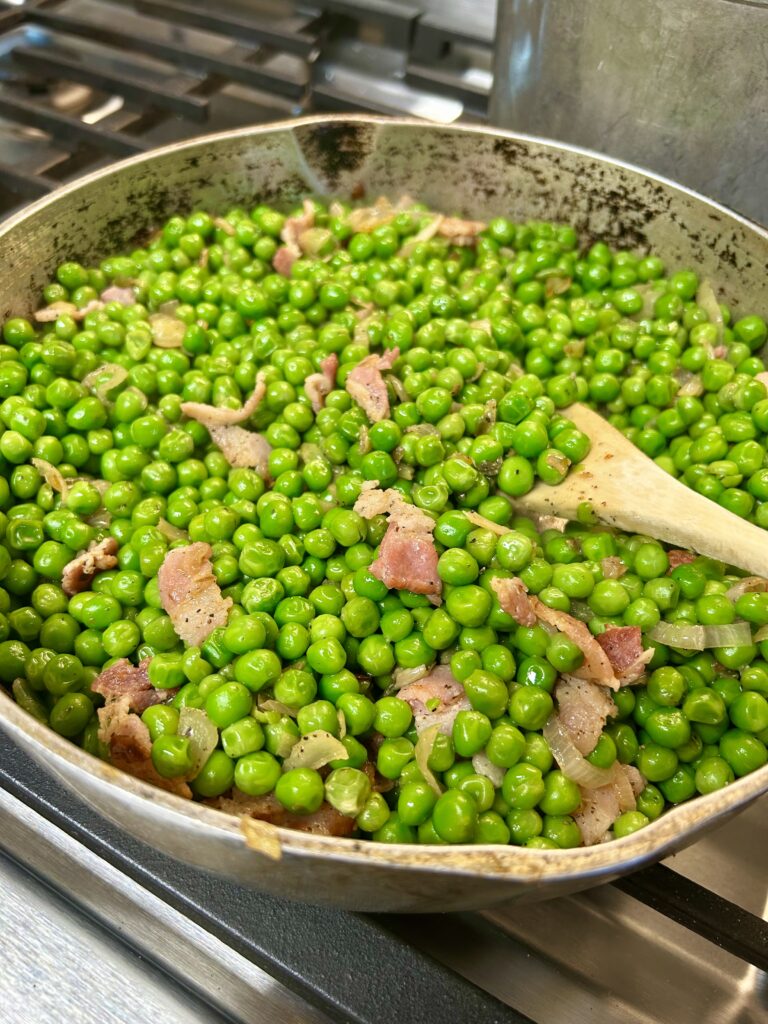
(190, 593)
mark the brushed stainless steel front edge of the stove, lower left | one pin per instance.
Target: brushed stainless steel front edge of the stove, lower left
(45, 938)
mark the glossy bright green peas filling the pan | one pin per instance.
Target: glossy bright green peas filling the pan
(488, 360)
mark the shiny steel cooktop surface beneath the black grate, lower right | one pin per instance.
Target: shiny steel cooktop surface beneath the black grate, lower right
(602, 958)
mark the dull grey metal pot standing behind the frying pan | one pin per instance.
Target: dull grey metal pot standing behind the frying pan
(678, 88)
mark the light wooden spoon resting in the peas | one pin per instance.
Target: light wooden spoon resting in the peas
(627, 490)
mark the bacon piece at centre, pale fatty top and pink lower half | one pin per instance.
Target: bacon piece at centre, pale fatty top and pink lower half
(408, 558)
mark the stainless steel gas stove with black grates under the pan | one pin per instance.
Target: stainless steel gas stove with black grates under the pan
(96, 926)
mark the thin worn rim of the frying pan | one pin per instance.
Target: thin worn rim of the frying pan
(508, 864)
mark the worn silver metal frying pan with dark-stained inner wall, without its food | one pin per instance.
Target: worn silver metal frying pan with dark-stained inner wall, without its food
(470, 172)
